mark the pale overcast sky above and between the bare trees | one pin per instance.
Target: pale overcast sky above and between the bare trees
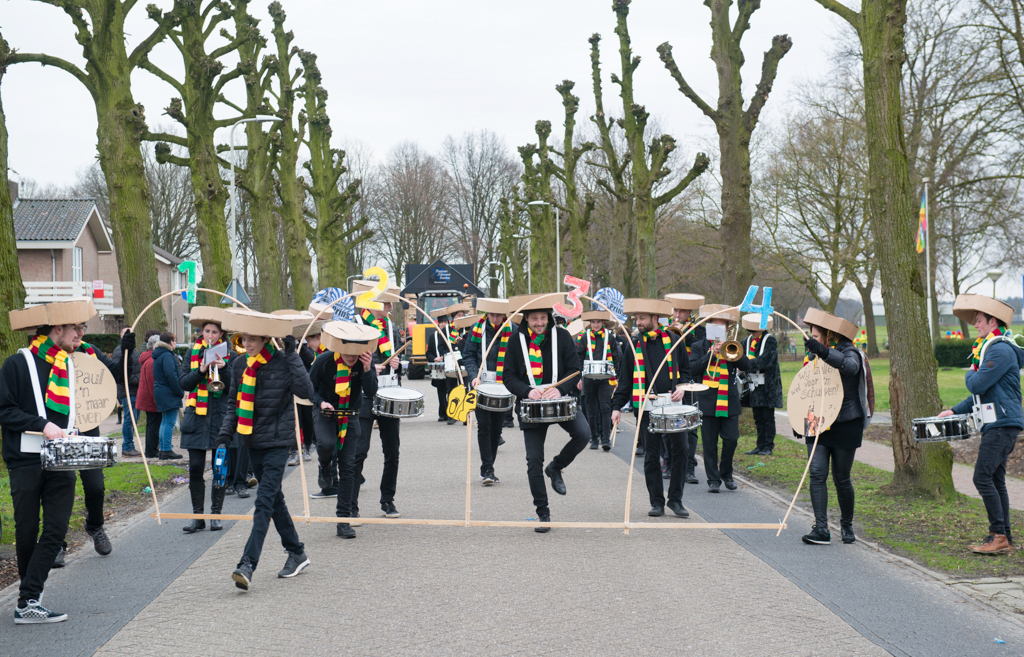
(419, 71)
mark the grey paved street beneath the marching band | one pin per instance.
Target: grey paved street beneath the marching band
(420, 590)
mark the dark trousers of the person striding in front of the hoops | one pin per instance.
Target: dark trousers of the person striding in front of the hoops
(270, 468)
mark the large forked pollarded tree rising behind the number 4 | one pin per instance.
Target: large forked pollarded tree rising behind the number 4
(735, 125)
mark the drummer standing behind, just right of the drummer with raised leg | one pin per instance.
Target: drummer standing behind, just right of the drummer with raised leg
(596, 343)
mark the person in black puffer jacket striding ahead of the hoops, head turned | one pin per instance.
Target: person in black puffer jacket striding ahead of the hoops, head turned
(261, 409)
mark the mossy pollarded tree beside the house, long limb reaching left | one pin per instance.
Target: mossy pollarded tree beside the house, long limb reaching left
(121, 126)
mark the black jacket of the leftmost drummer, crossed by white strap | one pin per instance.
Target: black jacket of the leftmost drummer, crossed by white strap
(18, 409)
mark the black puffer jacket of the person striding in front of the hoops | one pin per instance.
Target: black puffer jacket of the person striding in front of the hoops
(274, 419)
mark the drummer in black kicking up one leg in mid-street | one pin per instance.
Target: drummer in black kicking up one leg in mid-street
(540, 355)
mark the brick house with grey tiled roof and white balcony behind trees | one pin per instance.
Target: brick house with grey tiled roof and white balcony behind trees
(65, 250)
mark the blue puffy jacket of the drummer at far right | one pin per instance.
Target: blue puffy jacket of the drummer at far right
(998, 382)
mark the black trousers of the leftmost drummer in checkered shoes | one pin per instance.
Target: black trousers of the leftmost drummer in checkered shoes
(32, 489)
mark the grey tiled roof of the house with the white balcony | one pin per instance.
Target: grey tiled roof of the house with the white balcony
(58, 224)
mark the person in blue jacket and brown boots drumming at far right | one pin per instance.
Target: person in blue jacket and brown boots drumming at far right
(995, 384)
